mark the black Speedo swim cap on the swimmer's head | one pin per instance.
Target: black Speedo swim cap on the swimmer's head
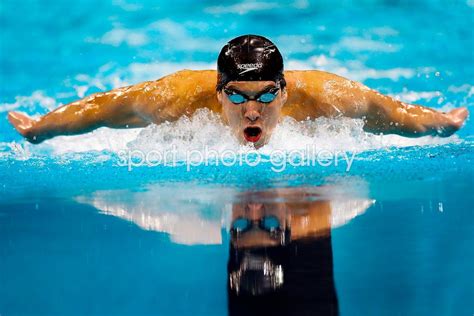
(249, 58)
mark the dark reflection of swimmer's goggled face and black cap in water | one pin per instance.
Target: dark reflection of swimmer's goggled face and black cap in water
(280, 259)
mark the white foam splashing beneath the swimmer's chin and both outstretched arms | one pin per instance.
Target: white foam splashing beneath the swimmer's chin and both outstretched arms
(205, 131)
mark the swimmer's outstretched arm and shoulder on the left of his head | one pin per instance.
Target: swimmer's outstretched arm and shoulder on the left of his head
(134, 106)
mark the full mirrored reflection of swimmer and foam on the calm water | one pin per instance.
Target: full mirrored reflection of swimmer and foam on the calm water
(280, 251)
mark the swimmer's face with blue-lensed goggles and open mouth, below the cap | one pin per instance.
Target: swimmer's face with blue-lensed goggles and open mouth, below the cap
(252, 120)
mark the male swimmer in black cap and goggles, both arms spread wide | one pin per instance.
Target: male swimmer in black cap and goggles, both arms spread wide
(252, 93)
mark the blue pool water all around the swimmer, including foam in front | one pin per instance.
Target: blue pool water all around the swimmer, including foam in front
(82, 235)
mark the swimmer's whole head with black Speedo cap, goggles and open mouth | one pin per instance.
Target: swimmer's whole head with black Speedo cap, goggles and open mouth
(251, 87)
